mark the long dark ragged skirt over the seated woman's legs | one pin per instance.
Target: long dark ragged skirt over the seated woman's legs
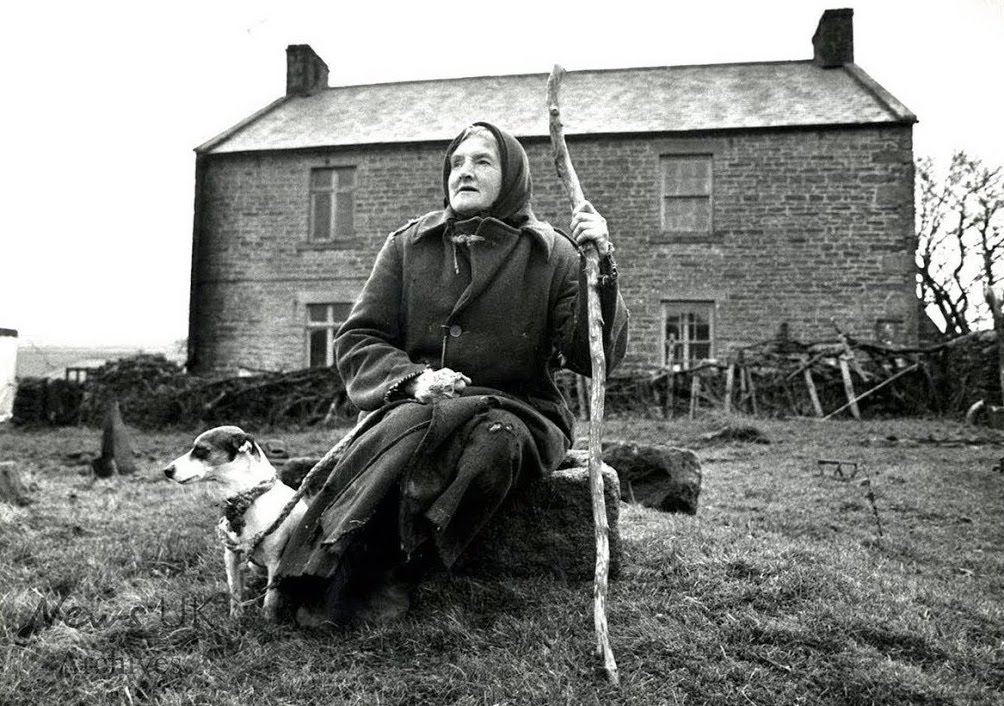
(420, 482)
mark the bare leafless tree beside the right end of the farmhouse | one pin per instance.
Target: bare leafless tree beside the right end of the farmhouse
(960, 228)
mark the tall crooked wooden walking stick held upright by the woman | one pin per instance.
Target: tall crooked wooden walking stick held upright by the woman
(567, 173)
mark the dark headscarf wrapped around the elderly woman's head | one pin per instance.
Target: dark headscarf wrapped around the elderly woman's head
(514, 203)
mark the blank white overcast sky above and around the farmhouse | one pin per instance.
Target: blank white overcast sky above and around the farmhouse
(105, 103)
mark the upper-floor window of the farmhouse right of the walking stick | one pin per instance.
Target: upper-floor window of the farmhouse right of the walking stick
(687, 190)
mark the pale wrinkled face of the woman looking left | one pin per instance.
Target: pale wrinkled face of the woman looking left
(475, 174)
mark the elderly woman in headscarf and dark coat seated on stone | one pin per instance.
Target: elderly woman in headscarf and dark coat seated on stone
(452, 348)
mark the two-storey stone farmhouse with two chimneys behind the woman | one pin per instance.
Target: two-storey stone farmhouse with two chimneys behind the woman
(745, 200)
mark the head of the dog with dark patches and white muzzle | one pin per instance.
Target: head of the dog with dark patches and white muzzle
(225, 454)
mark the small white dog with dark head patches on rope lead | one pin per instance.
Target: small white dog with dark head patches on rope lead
(255, 500)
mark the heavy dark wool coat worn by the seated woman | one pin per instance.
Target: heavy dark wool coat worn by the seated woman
(512, 316)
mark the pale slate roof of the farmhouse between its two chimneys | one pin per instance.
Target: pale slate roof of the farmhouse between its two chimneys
(630, 101)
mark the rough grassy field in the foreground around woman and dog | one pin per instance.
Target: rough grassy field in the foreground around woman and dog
(781, 591)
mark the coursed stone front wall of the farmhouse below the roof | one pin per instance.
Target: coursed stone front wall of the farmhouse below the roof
(810, 226)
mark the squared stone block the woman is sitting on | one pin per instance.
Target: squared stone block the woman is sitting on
(549, 530)
